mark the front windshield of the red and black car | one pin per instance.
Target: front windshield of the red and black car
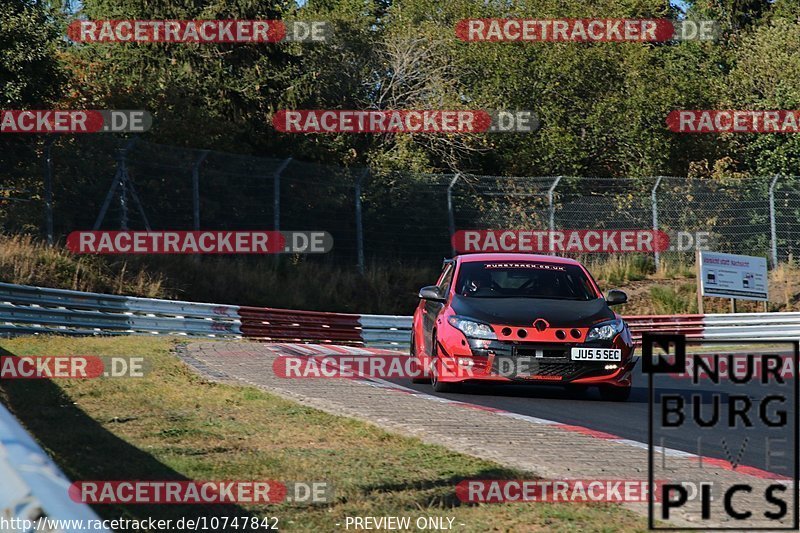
(524, 279)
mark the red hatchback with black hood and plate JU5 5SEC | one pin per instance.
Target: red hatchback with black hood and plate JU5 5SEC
(502, 318)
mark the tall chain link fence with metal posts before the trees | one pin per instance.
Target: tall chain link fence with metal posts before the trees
(99, 182)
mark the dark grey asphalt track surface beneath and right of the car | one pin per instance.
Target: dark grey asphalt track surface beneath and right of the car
(629, 420)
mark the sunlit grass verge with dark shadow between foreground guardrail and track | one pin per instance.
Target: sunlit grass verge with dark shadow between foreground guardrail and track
(174, 425)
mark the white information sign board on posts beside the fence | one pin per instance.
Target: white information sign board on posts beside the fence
(733, 276)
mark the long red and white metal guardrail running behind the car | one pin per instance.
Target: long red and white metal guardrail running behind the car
(25, 310)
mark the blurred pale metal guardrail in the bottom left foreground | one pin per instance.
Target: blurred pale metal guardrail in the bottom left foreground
(32, 488)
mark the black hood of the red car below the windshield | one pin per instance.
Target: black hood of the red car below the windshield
(523, 311)
